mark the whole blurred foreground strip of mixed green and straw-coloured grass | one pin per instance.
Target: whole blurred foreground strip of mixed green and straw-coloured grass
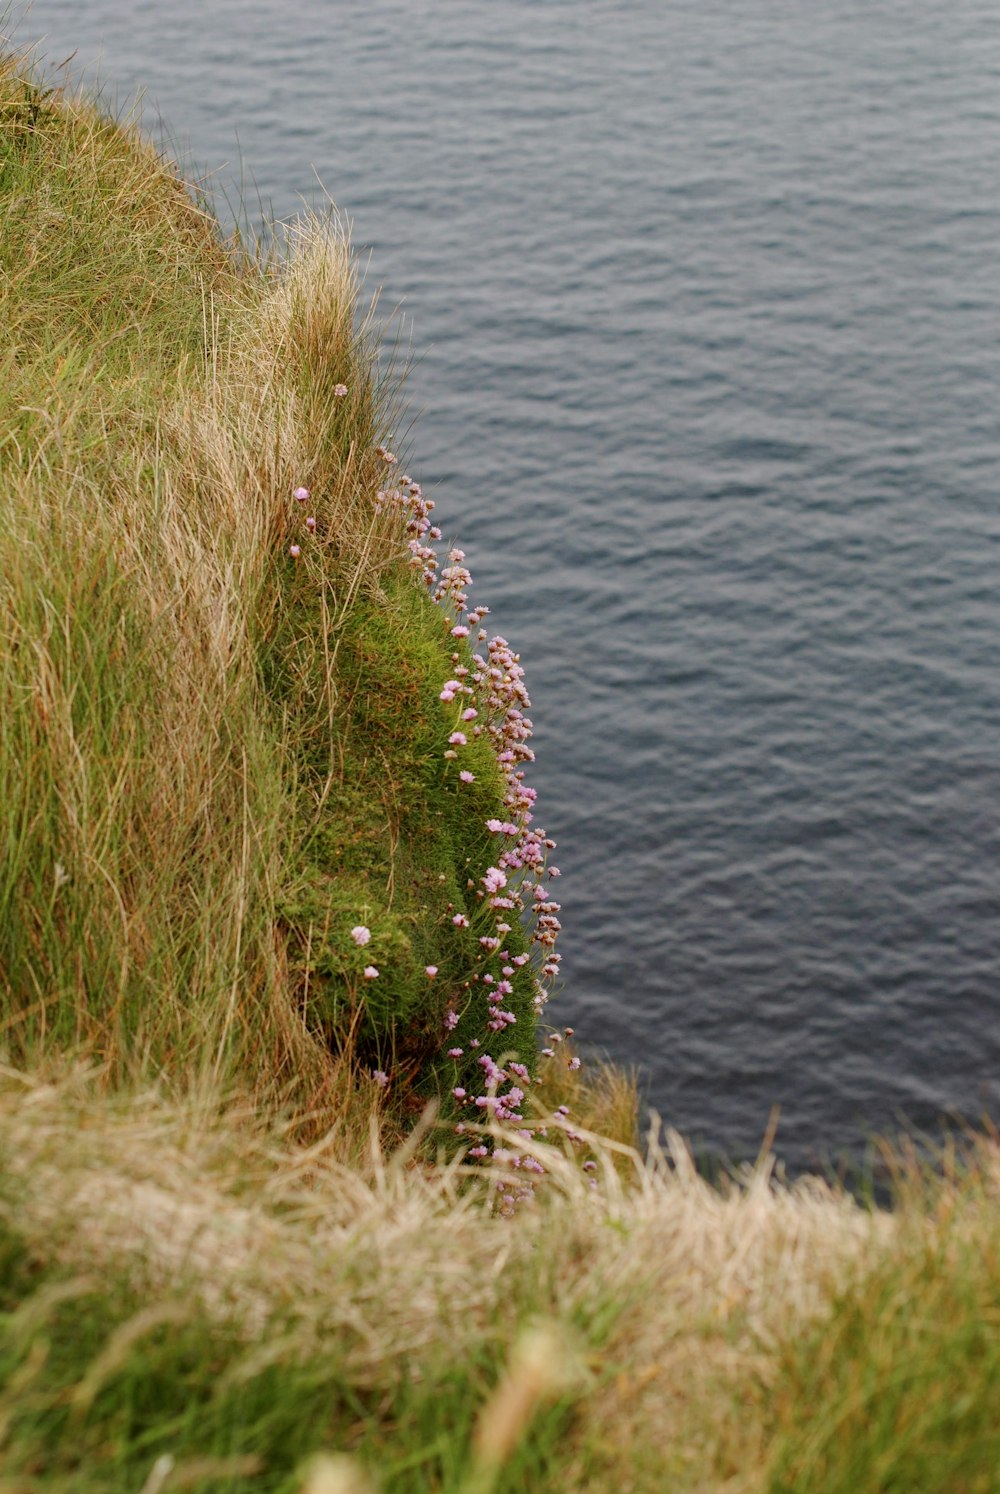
(206, 1290)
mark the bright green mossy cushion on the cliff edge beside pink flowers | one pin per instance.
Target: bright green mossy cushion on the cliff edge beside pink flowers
(398, 840)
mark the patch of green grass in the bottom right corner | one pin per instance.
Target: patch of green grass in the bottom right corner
(899, 1390)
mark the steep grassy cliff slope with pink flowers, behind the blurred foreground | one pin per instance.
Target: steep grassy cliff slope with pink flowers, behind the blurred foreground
(261, 799)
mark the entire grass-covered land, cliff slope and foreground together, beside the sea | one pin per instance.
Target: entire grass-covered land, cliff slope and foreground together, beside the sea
(231, 1259)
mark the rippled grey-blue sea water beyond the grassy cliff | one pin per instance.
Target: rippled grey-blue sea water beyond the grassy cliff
(706, 301)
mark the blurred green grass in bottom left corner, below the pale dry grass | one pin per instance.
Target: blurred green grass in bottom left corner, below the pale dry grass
(101, 1380)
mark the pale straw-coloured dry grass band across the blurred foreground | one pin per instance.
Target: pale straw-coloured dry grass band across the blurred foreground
(660, 1289)
